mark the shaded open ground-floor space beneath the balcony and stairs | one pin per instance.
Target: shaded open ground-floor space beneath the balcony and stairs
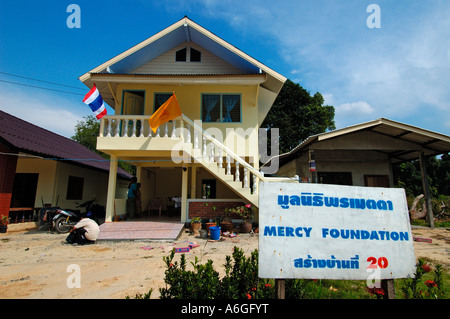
(178, 193)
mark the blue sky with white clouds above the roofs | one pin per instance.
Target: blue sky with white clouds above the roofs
(400, 71)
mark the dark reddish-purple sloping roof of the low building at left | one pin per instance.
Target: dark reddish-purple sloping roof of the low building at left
(32, 139)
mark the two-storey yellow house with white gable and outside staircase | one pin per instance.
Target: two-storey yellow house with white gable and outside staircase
(208, 157)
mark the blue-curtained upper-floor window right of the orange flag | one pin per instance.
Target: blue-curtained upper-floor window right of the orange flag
(221, 108)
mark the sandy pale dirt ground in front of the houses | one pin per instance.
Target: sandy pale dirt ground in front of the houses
(35, 264)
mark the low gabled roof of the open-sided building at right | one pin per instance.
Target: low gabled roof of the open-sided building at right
(430, 143)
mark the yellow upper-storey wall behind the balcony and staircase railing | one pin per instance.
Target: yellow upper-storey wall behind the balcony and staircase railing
(189, 99)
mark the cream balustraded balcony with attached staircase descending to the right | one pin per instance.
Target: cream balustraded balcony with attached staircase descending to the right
(181, 140)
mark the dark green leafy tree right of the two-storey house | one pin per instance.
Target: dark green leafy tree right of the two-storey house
(298, 115)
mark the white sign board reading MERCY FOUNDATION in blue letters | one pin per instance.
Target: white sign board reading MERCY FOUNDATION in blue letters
(318, 231)
